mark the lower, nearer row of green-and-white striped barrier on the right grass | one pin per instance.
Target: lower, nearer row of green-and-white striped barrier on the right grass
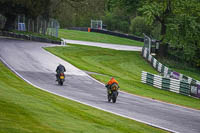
(169, 84)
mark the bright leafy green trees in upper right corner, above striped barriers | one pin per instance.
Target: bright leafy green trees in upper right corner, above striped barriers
(180, 26)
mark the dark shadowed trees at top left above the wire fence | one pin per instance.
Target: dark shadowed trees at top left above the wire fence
(31, 9)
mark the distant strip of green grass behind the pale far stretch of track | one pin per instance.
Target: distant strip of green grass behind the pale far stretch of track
(96, 37)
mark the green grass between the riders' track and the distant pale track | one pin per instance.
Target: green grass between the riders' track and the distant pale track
(125, 66)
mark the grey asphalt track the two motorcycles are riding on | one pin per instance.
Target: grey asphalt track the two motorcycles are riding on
(37, 66)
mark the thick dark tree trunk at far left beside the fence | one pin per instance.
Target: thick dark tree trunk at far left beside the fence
(10, 22)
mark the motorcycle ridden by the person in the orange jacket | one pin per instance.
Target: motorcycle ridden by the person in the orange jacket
(113, 93)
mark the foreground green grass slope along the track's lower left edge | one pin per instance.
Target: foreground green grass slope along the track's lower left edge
(25, 109)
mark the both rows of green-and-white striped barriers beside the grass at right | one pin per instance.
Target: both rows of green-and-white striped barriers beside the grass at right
(171, 80)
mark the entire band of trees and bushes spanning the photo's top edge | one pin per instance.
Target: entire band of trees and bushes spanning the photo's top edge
(173, 22)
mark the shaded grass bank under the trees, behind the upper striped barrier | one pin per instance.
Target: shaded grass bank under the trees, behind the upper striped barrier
(181, 67)
